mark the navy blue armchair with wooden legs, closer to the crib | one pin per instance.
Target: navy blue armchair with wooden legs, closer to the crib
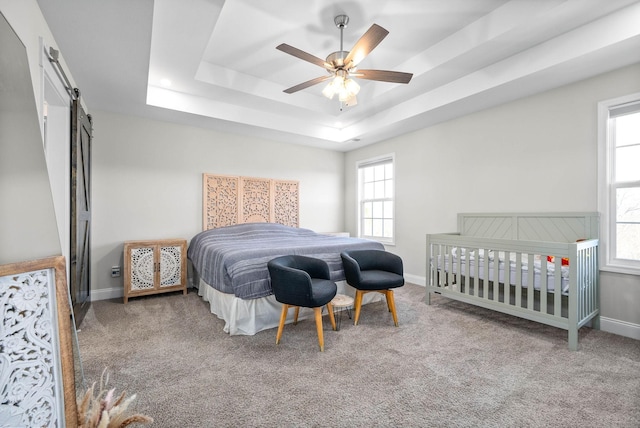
(373, 270)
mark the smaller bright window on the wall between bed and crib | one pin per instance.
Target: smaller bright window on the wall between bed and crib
(376, 199)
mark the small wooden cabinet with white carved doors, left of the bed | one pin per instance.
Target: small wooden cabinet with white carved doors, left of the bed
(155, 266)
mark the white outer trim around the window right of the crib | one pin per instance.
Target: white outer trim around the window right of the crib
(605, 169)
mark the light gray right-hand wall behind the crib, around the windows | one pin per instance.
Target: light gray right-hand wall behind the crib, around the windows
(534, 154)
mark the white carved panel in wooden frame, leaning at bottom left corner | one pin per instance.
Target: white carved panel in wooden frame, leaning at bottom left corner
(37, 386)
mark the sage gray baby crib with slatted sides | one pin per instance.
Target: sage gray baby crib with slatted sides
(539, 266)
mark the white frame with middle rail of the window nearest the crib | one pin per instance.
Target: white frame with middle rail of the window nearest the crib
(607, 187)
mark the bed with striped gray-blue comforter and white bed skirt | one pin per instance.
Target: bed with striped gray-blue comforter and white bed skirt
(230, 269)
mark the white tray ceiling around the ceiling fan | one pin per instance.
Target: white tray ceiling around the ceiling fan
(226, 74)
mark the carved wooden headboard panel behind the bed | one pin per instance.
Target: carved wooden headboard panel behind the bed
(229, 200)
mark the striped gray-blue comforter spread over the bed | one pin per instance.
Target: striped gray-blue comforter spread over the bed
(233, 259)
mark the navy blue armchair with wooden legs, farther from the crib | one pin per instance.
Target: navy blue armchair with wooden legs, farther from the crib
(300, 281)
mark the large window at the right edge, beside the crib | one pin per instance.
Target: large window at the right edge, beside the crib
(619, 183)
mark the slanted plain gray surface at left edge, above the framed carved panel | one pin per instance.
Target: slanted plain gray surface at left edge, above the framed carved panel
(27, 220)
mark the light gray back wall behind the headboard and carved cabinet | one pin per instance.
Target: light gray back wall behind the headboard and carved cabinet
(147, 183)
